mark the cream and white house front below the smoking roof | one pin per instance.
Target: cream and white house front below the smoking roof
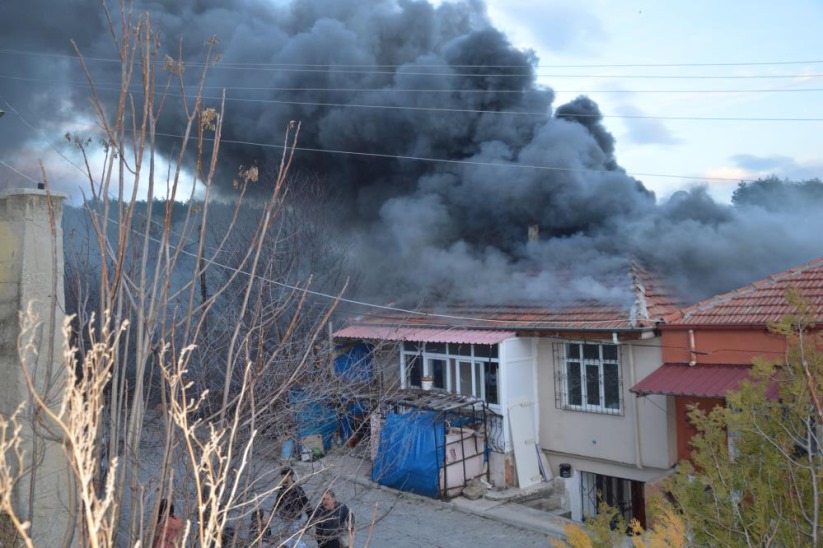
(557, 381)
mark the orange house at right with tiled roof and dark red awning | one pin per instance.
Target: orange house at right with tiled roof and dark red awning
(708, 348)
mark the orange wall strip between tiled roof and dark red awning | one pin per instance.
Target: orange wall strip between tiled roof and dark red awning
(722, 346)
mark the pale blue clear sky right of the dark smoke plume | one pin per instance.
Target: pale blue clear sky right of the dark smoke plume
(738, 34)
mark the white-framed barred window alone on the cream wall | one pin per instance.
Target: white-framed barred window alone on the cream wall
(588, 377)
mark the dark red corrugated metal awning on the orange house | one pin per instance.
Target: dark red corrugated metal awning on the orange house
(700, 381)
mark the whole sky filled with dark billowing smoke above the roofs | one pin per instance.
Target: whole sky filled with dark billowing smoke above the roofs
(442, 133)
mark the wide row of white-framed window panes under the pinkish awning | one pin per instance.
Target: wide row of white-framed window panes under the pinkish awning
(466, 369)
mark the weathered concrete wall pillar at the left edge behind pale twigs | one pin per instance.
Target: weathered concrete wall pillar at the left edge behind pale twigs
(31, 278)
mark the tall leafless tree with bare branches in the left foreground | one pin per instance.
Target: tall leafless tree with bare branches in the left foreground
(137, 331)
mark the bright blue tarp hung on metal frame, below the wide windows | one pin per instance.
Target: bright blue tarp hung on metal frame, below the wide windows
(408, 457)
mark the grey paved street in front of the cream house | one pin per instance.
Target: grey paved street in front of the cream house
(399, 519)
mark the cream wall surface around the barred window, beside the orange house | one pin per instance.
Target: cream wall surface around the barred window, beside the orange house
(608, 438)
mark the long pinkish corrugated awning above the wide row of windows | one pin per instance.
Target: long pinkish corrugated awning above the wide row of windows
(424, 334)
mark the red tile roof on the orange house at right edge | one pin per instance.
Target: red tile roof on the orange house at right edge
(761, 302)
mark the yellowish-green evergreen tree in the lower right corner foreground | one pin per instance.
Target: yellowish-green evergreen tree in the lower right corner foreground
(756, 474)
